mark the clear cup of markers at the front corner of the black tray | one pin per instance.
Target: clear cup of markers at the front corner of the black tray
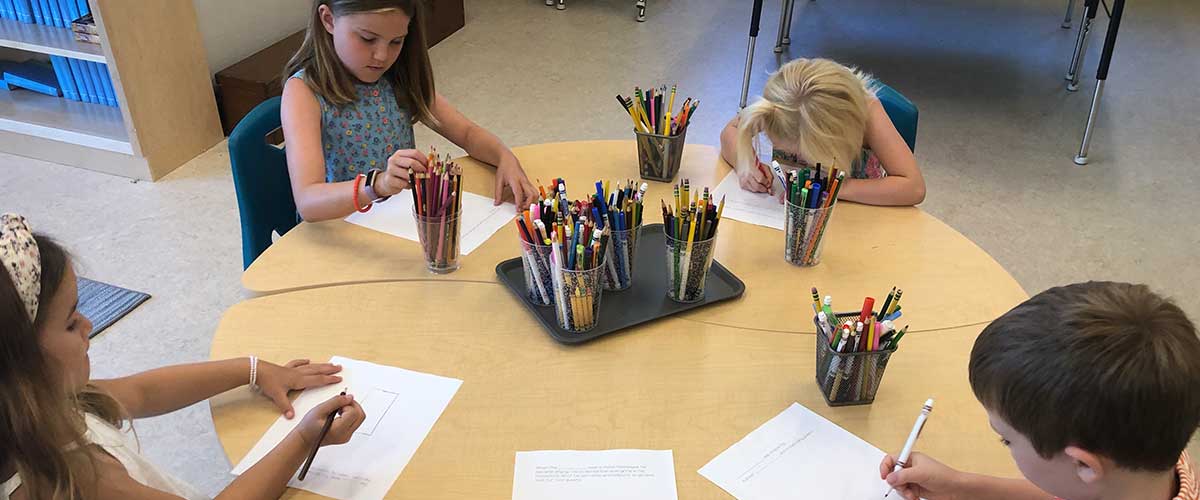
(577, 285)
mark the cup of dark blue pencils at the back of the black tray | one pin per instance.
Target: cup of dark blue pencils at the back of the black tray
(622, 210)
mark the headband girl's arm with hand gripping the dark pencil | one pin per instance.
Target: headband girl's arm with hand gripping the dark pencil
(267, 480)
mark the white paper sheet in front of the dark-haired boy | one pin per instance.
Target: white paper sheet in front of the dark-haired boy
(800, 455)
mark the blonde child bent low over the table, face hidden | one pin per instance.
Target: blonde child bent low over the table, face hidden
(817, 111)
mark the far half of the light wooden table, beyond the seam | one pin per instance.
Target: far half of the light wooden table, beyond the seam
(947, 280)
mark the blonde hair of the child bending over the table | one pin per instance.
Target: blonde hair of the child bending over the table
(817, 105)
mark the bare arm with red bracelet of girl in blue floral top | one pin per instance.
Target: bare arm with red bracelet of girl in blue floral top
(317, 200)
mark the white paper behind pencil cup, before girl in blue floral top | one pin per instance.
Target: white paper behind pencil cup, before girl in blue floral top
(481, 219)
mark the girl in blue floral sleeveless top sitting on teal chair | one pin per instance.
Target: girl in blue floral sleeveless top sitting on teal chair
(351, 98)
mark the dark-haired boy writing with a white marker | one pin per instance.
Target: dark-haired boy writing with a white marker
(1094, 389)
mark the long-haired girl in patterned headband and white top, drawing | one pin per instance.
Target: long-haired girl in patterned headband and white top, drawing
(65, 437)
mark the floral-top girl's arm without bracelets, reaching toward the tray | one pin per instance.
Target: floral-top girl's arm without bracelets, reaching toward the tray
(485, 147)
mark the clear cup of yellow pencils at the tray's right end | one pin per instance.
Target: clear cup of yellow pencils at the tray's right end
(691, 230)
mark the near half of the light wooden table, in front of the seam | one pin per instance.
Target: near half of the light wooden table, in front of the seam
(675, 384)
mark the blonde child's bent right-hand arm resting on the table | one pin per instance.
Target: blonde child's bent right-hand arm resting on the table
(904, 184)
